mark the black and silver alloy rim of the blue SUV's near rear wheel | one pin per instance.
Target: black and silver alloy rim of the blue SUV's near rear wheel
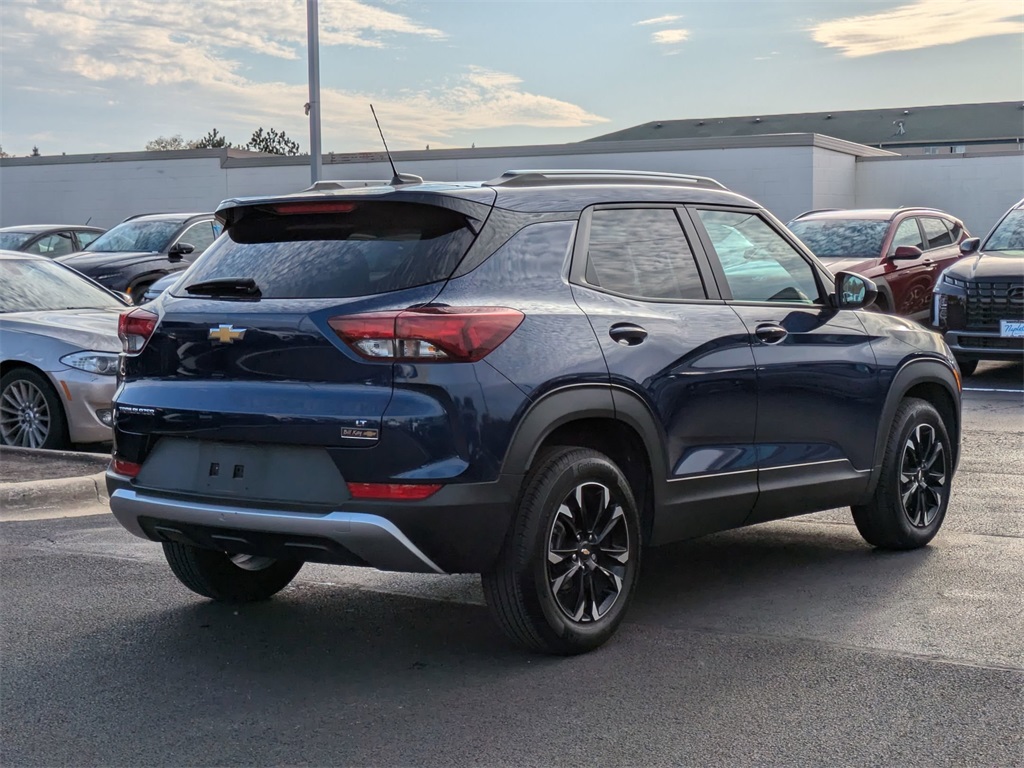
(588, 552)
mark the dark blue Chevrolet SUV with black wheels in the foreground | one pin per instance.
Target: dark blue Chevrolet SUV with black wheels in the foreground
(532, 379)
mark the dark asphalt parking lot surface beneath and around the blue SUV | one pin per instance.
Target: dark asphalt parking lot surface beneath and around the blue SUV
(791, 644)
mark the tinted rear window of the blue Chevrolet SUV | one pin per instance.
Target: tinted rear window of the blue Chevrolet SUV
(360, 248)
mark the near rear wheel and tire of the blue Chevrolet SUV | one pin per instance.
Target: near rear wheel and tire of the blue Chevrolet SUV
(570, 491)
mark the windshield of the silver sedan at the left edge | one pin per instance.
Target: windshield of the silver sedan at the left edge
(30, 286)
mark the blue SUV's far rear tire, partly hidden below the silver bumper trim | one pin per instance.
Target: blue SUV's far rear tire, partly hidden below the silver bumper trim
(217, 575)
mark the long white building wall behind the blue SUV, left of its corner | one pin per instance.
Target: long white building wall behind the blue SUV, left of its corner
(107, 192)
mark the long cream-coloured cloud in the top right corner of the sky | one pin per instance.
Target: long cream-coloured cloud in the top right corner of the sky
(924, 24)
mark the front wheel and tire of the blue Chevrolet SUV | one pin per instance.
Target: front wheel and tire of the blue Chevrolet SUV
(913, 494)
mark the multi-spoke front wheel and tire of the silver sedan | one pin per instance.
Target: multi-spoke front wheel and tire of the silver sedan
(31, 412)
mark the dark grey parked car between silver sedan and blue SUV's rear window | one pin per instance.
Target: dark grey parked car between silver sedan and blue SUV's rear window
(143, 249)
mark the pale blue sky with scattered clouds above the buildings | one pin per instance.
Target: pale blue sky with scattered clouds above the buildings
(101, 76)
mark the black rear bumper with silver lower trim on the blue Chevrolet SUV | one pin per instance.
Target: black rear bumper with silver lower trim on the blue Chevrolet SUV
(460, 530)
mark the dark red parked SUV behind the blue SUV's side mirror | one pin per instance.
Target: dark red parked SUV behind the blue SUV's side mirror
(903, 251)
